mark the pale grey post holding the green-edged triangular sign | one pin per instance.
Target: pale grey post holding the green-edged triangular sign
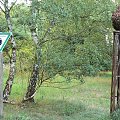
(1, 85)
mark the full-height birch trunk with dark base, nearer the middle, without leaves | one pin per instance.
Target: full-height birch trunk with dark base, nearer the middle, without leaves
(31, 89)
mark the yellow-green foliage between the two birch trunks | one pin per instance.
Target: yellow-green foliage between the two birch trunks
(25, 55)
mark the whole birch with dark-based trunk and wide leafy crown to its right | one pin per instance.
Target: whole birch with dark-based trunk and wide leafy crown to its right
(59, 53)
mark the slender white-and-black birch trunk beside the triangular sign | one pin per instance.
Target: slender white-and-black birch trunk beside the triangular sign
(9, 82)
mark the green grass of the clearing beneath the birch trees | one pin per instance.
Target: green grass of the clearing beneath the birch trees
(89, 101)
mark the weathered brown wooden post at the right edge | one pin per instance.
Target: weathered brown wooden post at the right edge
(115, 84)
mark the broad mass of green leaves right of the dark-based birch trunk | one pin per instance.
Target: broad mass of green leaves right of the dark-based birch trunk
(81, 30)
